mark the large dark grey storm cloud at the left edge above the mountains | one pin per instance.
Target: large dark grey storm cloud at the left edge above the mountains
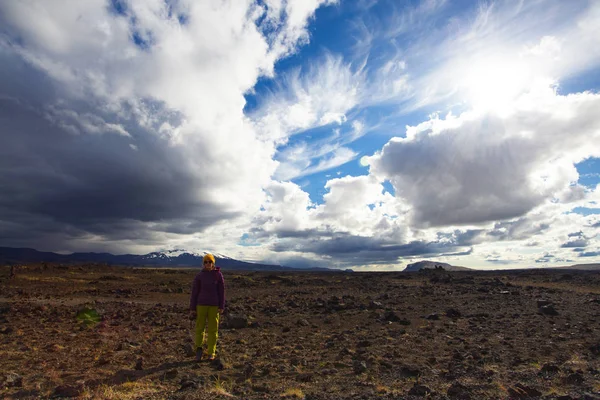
(58, 185)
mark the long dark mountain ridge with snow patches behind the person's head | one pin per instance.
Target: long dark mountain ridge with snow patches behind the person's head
(167, 258)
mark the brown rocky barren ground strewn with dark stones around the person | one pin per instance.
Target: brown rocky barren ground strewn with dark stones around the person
(435, 335)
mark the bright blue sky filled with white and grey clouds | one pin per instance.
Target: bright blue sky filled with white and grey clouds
(357, 134)
